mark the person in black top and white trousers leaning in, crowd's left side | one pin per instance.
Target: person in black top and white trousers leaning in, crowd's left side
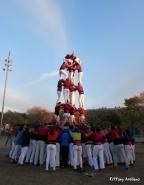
(24, 145)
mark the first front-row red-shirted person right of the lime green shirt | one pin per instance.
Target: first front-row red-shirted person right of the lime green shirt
(98, 157)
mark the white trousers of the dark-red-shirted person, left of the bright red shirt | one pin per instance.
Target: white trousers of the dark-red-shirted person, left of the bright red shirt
(39, 153)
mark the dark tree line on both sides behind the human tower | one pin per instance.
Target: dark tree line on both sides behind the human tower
(130, 116)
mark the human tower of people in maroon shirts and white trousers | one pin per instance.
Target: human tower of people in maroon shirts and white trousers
(70, 85)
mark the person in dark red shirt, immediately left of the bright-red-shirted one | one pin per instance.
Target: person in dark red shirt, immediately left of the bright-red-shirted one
(41, 144)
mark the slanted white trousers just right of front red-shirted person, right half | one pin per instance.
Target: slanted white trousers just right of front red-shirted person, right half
(107, 153)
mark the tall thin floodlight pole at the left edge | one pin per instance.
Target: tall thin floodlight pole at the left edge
(8, 64)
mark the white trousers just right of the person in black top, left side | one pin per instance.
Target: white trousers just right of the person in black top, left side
(31, 151)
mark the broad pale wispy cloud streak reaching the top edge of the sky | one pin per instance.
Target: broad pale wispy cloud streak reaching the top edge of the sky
(46, 18)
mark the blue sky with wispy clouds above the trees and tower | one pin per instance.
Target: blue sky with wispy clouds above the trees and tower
(107, 36)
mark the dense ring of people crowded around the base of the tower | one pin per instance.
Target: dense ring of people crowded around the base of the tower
(73, 146)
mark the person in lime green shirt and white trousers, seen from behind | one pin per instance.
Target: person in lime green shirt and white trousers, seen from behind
(77, 149)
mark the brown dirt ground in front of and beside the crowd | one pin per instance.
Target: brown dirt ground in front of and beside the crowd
(12, 174)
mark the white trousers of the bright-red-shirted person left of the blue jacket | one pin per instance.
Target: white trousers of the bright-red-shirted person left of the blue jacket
(51, 156)
